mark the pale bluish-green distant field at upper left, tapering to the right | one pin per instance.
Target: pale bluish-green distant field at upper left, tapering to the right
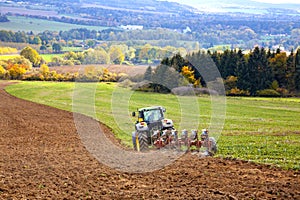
(18, 23)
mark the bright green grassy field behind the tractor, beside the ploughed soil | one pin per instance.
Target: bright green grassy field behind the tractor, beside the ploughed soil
(258, 129)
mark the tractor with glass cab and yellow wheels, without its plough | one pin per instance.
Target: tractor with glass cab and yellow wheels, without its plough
(151, 121)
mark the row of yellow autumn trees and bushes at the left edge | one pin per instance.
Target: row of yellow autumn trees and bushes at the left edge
(30, 66)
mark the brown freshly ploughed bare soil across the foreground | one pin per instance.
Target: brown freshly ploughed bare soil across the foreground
(41, 156)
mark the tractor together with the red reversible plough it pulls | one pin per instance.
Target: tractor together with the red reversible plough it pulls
(153, 129)
